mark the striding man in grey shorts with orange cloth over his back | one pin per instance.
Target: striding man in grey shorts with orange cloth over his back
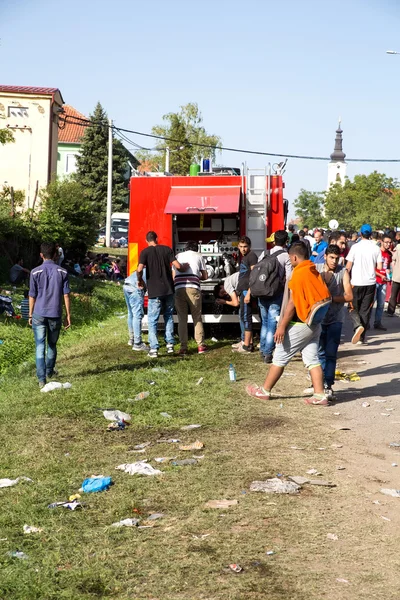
(305, 304)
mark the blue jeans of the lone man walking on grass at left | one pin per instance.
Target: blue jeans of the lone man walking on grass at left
(45, 327)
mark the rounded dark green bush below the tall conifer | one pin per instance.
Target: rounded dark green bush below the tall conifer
(66, 215)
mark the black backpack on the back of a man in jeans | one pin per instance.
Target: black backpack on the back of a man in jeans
(266, 279)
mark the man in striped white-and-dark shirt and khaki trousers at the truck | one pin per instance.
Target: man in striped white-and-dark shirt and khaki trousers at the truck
(188, 296)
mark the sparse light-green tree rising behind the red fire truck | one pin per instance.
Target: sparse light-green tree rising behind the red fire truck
(185, 129)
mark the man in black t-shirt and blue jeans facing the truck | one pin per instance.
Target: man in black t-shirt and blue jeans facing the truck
(160, 286)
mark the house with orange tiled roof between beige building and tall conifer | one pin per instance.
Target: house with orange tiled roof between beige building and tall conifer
(70, 134)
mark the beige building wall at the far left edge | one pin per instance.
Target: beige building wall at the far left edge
(32, 158)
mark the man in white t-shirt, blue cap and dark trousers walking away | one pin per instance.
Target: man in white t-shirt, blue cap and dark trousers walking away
(363, 260)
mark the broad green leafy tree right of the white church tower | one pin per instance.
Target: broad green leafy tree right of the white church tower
(373, 199)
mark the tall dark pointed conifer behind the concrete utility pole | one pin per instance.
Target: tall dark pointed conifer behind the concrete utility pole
(93, 165)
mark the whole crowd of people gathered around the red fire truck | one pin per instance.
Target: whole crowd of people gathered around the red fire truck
(300, 287)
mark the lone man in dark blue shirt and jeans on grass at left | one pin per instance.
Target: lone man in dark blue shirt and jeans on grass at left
(48, 287)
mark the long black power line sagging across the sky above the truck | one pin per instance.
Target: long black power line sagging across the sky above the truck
(228, 149)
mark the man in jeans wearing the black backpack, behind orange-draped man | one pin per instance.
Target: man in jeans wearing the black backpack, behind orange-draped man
(270, 302)
